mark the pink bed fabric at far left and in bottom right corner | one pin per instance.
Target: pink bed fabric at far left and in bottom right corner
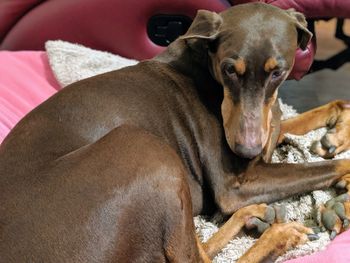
(26, 80)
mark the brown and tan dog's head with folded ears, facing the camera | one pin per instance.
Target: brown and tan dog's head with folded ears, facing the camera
(251, 49)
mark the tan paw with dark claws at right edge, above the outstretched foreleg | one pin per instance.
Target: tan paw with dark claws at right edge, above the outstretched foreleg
(337, 139)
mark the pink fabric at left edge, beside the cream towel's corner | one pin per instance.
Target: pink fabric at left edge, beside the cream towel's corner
(26, 80)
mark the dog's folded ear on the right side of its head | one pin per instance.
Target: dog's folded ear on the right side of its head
(304, 35)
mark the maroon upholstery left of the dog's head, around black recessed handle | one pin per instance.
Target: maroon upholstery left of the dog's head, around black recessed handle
(112, 25)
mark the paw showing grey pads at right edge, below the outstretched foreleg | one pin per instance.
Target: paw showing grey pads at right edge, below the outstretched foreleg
(335, 214)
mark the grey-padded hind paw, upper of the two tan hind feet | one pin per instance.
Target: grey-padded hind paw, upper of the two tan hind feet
(262, 221)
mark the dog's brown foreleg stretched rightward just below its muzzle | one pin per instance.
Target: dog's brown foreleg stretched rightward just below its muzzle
(266, 183)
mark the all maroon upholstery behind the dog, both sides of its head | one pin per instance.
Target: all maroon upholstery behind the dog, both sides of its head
(120, 26)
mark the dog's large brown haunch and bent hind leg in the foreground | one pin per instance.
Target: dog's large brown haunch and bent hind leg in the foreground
(124, 198)
